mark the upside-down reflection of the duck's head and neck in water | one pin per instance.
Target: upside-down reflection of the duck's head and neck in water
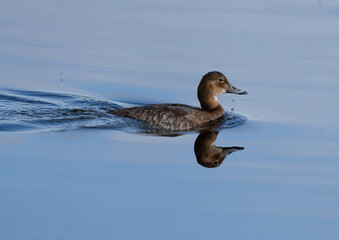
(209, 155)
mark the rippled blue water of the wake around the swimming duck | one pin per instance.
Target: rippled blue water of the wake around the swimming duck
(33, 111)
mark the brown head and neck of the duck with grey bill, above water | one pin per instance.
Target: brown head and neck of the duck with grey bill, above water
(211, 85)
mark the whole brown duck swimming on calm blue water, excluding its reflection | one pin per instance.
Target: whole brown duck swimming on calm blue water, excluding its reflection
(182, 117)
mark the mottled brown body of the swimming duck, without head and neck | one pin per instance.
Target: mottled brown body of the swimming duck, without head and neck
(169, 116)
